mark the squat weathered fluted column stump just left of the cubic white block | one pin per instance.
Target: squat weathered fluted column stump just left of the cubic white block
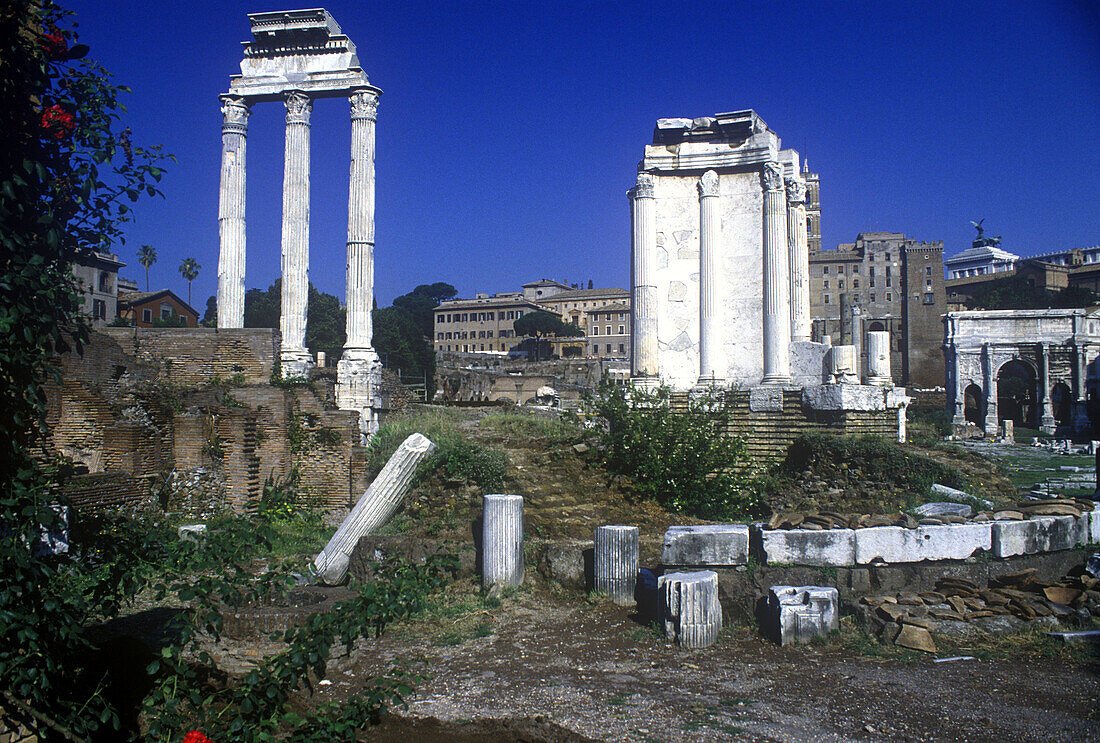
(690, 607)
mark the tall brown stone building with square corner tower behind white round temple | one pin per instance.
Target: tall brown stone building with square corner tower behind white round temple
(895, 285)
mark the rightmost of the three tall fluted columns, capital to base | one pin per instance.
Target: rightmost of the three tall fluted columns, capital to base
(365, 106)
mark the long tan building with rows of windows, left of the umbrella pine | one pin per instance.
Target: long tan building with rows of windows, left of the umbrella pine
(482, 324)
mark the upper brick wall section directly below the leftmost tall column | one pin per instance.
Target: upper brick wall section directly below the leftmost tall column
(192, 357)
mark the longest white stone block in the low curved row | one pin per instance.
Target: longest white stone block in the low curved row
(896, 544)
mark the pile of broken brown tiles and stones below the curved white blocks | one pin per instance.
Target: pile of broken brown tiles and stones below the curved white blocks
(961, 608)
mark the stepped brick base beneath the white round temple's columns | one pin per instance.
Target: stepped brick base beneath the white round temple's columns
(769, 434)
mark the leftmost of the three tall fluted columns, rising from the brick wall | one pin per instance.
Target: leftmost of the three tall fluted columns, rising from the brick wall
(235, 127)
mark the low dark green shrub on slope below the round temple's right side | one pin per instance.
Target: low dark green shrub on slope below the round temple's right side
(867, 457)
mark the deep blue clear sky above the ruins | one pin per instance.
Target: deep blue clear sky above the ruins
(510, 133)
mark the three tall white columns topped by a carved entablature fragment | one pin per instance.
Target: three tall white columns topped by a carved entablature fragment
(295, 58)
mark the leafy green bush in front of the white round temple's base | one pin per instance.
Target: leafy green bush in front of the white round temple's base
(679, 456)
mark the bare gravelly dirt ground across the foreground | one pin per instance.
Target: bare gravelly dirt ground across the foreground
(554, 668)
